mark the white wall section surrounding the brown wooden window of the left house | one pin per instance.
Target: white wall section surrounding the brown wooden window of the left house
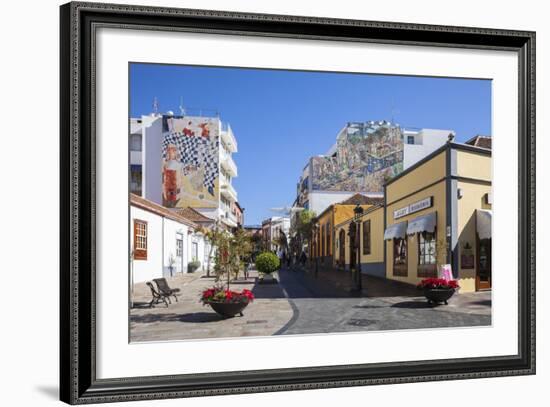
(146, 270)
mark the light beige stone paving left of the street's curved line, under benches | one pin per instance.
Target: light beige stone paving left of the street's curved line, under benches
(189, 319)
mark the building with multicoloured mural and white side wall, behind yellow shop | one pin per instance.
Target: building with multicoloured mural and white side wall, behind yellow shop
(365, 156)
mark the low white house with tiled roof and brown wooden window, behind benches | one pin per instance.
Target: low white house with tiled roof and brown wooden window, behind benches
(163, 242)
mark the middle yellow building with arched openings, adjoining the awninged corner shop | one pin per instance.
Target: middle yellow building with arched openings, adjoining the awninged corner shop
(369, 230)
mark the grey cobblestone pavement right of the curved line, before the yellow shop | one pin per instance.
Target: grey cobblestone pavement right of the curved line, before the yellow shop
(317, 311)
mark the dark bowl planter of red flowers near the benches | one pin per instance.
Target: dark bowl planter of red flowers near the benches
(225, 302)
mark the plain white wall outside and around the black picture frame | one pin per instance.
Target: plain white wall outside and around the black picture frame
(30, 357)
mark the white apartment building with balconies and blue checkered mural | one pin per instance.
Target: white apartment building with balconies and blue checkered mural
(185, 161)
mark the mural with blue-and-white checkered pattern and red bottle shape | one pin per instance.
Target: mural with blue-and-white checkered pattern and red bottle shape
(190, 173)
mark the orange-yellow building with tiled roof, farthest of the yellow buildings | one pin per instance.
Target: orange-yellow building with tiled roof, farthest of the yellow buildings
(323, 244)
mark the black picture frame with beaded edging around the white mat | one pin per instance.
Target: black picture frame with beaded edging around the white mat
(78, 382)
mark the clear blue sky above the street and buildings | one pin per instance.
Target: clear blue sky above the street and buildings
(281, 118)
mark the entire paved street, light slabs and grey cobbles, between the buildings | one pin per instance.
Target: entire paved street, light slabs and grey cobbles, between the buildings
(301, 304)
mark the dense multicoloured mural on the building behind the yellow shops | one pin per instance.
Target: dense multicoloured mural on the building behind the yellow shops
(367, 154)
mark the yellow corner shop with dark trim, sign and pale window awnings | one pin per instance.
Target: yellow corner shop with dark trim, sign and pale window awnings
(439, 212)
